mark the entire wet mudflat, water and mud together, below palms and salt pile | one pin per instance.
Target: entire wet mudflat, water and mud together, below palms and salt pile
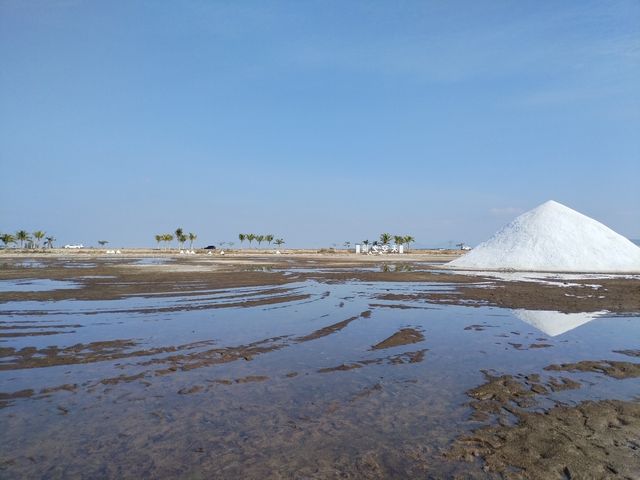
(293, 369)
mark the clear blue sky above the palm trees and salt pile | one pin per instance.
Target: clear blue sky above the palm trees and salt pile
(317, 121)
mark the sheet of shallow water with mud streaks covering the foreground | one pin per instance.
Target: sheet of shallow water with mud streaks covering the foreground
(204, 386)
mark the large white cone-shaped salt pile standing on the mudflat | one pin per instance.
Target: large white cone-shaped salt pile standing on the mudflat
(554, 238)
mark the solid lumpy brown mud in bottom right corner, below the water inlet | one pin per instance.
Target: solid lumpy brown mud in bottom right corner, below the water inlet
(596, 440)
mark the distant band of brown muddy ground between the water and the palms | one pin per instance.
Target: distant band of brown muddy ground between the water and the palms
(109, 278)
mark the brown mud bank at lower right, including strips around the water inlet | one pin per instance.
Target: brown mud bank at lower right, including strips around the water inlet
(593, 439)
